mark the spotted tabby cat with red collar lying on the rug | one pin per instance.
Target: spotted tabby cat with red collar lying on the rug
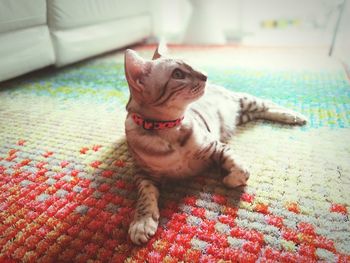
(177, 125)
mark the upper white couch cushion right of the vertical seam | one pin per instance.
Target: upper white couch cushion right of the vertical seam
(65, 14)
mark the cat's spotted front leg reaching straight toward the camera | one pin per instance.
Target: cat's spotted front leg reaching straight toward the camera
(145, 222)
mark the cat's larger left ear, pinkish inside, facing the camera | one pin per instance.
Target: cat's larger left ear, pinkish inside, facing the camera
(135, 68)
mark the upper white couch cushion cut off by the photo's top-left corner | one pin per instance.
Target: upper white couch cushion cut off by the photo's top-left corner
(15, 14)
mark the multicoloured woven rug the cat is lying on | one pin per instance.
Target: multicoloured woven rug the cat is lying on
(66, 188)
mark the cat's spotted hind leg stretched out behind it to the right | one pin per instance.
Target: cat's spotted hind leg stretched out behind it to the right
(252, 108)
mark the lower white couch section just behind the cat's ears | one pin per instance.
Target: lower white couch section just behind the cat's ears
(79, 43)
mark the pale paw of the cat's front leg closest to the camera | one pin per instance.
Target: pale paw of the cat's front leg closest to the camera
(142, 229)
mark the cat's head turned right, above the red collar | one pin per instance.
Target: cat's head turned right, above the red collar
(161, 86)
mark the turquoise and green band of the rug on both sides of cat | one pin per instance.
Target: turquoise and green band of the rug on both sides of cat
(324, 96)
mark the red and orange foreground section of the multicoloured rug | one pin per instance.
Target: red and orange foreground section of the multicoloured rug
(58, 218)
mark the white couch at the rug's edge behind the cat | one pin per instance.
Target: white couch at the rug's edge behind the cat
(38, 33)
